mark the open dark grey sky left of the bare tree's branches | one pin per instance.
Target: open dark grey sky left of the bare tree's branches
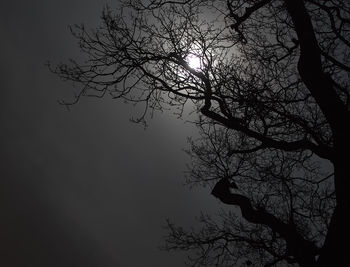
(84, 187)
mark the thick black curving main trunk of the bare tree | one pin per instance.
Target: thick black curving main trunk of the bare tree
(335, 111)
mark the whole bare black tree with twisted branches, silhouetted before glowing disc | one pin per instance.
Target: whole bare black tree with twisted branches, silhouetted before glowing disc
(272, 95)
